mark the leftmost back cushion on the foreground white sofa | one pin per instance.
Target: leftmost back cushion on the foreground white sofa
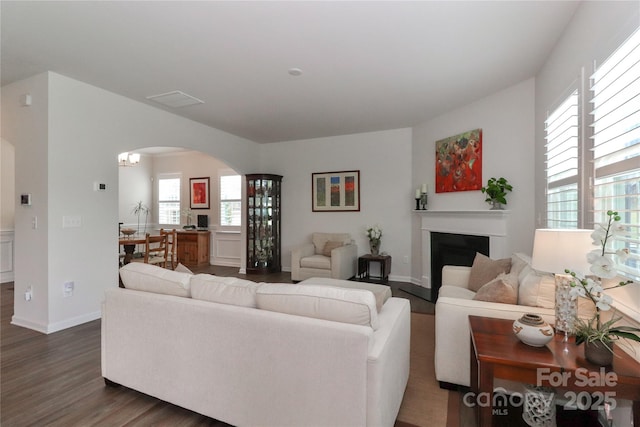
(151, 278)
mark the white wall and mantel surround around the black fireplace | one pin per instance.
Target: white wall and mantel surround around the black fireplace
(506, 120)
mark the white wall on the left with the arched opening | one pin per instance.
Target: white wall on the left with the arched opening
(67, 140)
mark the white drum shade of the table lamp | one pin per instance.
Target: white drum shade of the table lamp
(555, 250)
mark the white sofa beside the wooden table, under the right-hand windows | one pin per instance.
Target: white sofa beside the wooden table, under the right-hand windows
(535, 294)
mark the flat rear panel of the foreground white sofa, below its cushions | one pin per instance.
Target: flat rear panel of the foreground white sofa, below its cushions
(240, 365)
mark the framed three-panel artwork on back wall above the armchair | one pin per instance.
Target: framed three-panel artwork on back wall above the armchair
(335, 191)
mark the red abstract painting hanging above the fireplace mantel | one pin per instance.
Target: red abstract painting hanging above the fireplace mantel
(459, 162)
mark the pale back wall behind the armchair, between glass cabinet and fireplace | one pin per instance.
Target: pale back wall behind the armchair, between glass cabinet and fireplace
(386, 194)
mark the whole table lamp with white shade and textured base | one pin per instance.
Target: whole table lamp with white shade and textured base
(555, 250)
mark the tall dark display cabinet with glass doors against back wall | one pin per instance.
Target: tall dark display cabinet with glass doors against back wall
(263, 223)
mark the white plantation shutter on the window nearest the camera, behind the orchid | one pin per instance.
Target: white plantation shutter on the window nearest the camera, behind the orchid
(615, 101)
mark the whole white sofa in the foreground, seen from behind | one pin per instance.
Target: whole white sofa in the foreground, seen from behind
(232, 349)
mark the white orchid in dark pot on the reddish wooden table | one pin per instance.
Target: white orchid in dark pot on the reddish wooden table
(599, 336)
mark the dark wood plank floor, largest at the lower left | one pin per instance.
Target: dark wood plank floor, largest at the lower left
(55, 379)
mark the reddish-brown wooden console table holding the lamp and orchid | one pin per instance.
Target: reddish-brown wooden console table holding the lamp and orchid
(497, 353)
